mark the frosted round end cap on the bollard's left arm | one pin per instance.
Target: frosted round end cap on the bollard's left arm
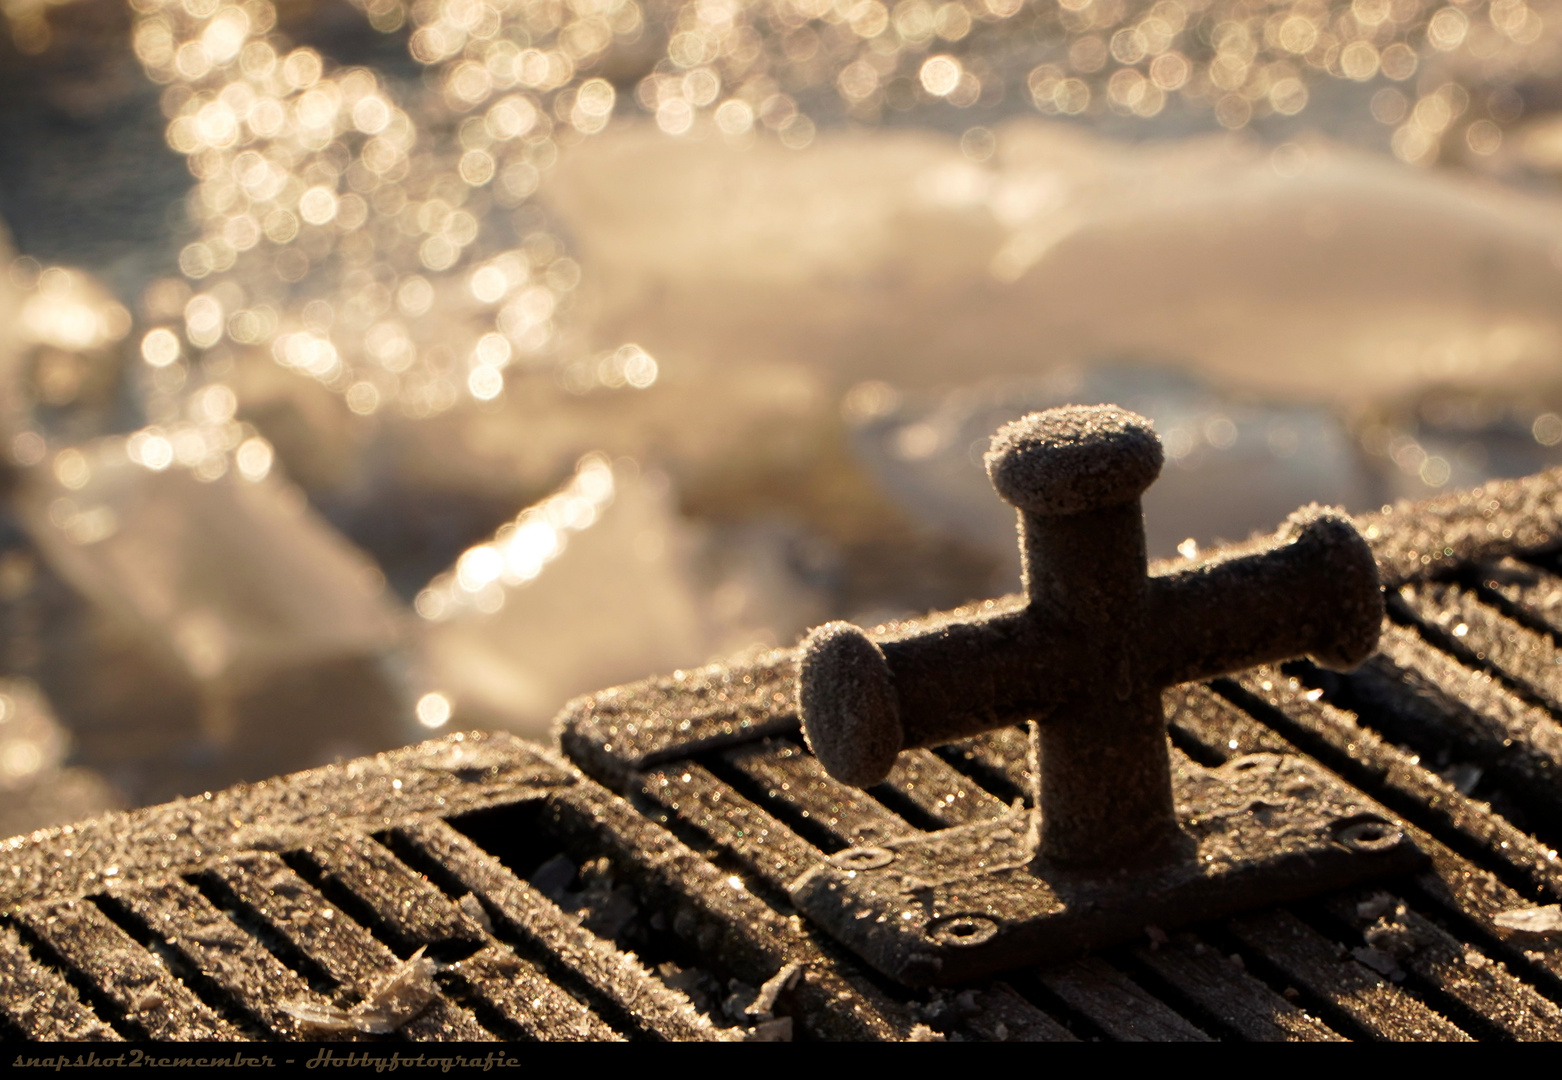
(847, 704)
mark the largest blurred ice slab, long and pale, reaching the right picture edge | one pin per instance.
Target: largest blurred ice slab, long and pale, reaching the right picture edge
(1318, 273)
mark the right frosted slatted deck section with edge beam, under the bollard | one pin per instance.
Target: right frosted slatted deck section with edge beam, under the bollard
(1453, 726)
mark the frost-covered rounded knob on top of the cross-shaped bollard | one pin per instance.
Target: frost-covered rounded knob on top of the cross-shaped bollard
(1074, 459)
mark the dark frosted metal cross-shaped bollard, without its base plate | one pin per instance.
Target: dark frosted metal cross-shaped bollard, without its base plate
(1094, 640)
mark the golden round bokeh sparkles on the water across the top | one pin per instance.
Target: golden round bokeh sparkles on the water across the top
(324, 184)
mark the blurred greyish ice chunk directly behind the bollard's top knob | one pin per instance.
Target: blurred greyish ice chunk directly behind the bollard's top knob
(1232, 468)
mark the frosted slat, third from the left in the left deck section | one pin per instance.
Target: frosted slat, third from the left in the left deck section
(234, 973)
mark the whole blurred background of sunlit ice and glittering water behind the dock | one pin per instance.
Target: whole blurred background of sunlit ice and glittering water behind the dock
(371, 368)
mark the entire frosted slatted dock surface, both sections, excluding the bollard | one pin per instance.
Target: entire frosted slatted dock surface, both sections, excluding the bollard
(654, 906)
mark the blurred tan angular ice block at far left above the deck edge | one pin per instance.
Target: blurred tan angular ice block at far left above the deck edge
(209, 632)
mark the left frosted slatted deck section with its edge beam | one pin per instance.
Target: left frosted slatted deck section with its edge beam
(184, 923)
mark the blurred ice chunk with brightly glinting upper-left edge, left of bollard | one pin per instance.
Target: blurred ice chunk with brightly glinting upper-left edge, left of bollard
(547, 610)
